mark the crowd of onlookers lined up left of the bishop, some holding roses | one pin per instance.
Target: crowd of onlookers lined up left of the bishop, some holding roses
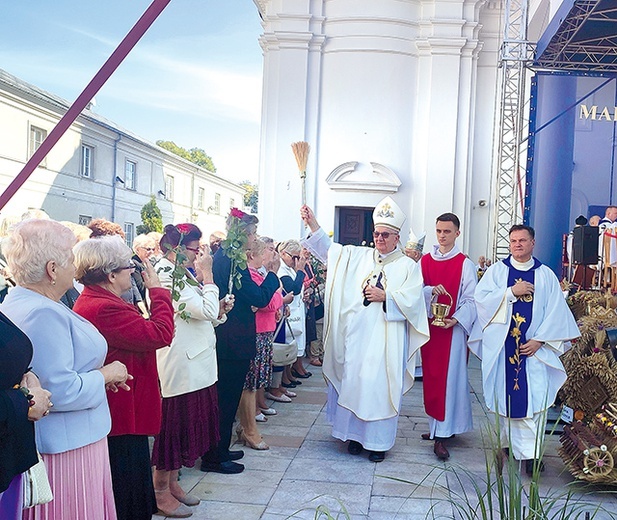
(104, 347)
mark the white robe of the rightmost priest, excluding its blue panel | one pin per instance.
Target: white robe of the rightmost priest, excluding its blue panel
(552, 324)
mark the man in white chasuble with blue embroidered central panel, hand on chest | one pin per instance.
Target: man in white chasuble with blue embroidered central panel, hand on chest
(523, 326)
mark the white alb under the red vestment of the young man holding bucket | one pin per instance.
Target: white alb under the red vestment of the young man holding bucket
(458, 418)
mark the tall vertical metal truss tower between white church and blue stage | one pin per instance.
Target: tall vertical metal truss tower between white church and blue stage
(515, 54)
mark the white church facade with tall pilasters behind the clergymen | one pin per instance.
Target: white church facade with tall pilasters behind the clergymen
(395, 97)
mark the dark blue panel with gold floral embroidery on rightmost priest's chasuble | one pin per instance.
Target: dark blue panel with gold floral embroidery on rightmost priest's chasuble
(522, 314)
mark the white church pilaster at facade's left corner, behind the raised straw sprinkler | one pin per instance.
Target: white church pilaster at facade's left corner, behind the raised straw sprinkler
(291, 44)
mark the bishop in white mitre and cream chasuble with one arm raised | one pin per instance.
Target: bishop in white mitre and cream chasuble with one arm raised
(375, 322)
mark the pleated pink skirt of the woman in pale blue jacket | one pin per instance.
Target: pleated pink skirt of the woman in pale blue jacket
(80, 480)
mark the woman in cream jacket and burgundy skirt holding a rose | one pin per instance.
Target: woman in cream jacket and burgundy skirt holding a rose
(187, 368)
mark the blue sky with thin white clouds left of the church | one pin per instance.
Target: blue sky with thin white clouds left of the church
(195, 77)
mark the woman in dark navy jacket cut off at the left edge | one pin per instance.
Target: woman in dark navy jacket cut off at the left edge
(22, 401)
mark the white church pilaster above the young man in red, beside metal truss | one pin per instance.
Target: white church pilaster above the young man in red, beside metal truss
(448, 47)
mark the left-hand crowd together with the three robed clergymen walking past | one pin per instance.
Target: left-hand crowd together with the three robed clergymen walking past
(104, 347)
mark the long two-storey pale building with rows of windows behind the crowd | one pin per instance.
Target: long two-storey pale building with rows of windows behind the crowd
(98, 169)
